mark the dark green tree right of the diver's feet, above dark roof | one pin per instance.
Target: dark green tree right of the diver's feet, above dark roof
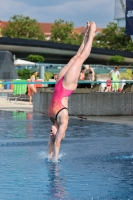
(113, 38)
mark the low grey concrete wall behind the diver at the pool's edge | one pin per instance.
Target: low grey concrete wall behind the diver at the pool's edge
(85, 102)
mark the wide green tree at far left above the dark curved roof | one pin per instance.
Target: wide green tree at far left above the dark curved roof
(20, 26)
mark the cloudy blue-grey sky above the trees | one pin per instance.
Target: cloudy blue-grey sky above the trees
(77, 11)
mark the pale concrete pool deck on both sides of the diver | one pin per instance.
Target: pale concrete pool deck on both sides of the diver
(26, 107)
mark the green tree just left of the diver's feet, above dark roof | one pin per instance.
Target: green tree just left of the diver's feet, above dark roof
(63, 32)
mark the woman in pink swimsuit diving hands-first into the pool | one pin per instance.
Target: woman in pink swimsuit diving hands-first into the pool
(66, 84)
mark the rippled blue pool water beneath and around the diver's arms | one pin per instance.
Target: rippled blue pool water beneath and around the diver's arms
(96, 160)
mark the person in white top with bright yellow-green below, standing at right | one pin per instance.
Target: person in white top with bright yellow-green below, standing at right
(115, 77)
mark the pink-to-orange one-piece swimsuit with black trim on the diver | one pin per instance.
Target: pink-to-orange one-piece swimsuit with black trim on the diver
(55, 104)
